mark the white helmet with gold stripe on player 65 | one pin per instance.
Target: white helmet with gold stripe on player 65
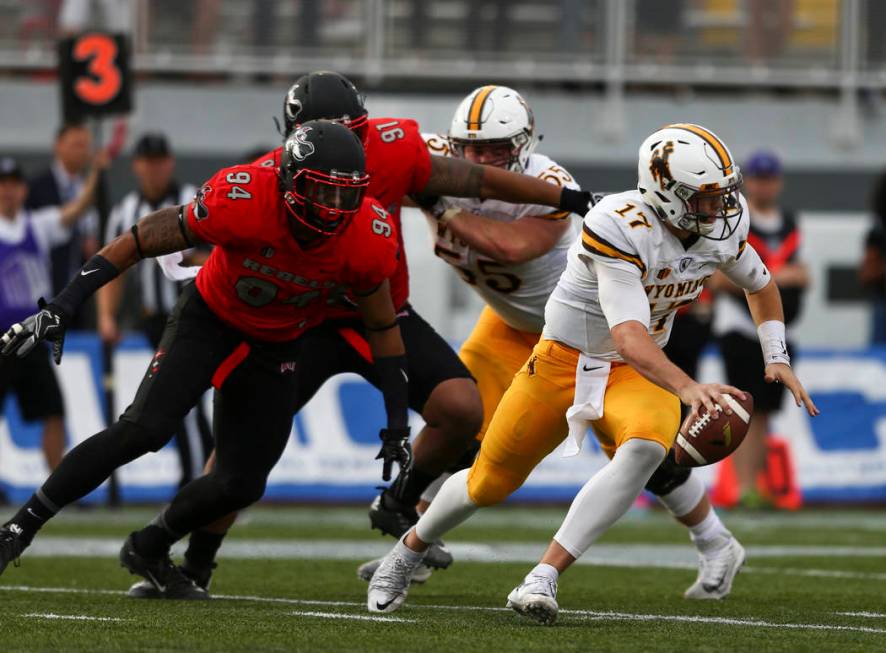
(493, 115)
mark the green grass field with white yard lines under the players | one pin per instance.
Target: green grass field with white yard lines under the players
(815, 580)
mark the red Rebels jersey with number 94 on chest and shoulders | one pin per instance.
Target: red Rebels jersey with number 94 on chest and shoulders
(259, 279)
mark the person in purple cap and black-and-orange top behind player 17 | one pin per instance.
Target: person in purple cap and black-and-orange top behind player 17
(776, 237)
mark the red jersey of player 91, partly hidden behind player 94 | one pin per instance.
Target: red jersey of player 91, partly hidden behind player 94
(398, 164)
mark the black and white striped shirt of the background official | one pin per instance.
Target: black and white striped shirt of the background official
(158, 294)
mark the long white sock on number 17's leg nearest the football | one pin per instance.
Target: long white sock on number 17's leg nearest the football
(609, 494)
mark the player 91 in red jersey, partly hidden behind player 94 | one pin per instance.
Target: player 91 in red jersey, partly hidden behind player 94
(440, 386)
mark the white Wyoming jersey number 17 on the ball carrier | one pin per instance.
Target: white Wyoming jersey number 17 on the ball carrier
(624, 231)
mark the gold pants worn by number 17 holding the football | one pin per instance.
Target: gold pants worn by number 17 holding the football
(530, 420)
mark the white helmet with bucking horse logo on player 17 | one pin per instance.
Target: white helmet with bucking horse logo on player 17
(691, 180)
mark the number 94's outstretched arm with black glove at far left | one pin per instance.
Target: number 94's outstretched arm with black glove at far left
(161, 232)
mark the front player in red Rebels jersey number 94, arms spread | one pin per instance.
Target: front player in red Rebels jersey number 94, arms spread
(288, 242)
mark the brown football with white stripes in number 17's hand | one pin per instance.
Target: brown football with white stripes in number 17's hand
(711, 438)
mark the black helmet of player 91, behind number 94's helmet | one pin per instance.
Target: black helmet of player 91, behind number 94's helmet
(325, 95)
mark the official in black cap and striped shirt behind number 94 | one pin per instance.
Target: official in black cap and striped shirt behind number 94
(153, 166)
